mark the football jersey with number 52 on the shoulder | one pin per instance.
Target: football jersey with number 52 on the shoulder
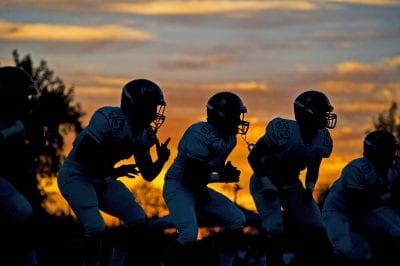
(287, 153)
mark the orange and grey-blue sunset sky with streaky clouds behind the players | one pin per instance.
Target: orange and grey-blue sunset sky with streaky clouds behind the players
(265, 51)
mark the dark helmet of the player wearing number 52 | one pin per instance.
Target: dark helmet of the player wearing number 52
(314, 109)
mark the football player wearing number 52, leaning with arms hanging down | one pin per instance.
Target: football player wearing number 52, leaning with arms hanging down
(287, 148)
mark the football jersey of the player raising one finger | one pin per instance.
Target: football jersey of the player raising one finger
(109, 127)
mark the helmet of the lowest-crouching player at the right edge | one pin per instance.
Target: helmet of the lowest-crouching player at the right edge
(382, 148)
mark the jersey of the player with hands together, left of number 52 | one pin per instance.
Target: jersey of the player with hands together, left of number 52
(203, 142)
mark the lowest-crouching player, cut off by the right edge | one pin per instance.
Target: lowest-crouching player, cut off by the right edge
(365, 199)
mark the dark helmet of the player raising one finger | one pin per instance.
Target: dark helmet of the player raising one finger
(143, 102)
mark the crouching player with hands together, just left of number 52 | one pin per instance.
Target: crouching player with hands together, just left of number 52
(201, 159)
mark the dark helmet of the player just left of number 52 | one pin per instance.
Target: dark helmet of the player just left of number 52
(225, 110)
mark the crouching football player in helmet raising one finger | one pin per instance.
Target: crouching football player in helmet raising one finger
(87, 179)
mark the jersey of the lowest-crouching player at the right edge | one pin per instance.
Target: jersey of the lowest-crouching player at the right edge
(361, 174)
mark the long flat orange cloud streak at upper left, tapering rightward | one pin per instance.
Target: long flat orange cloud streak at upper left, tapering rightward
(70, 33)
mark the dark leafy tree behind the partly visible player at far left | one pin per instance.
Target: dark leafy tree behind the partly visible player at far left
(54, 111)
